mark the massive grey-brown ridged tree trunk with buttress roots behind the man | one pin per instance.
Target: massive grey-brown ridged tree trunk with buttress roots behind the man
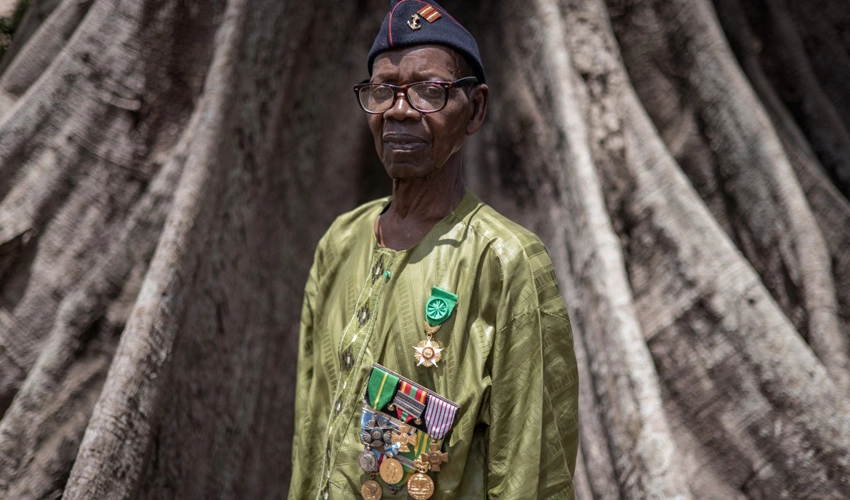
(167, 167)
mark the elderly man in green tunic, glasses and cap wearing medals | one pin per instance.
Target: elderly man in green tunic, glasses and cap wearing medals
(435, 357)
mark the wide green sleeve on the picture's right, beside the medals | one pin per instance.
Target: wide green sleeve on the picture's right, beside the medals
(533, 434)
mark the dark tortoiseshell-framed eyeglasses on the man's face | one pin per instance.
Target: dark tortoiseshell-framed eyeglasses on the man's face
(425, 97)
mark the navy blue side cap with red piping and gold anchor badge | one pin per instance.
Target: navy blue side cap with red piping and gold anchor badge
(416, 22)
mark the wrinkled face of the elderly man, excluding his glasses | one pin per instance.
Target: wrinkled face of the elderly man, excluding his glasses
(412, 144)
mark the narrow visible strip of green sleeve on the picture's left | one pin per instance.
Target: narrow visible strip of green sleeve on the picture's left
(304, 375)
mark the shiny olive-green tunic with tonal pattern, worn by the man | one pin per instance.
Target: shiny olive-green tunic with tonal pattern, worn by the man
(508, 359)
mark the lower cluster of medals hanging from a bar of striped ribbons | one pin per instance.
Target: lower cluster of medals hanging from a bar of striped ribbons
(401, 454)
